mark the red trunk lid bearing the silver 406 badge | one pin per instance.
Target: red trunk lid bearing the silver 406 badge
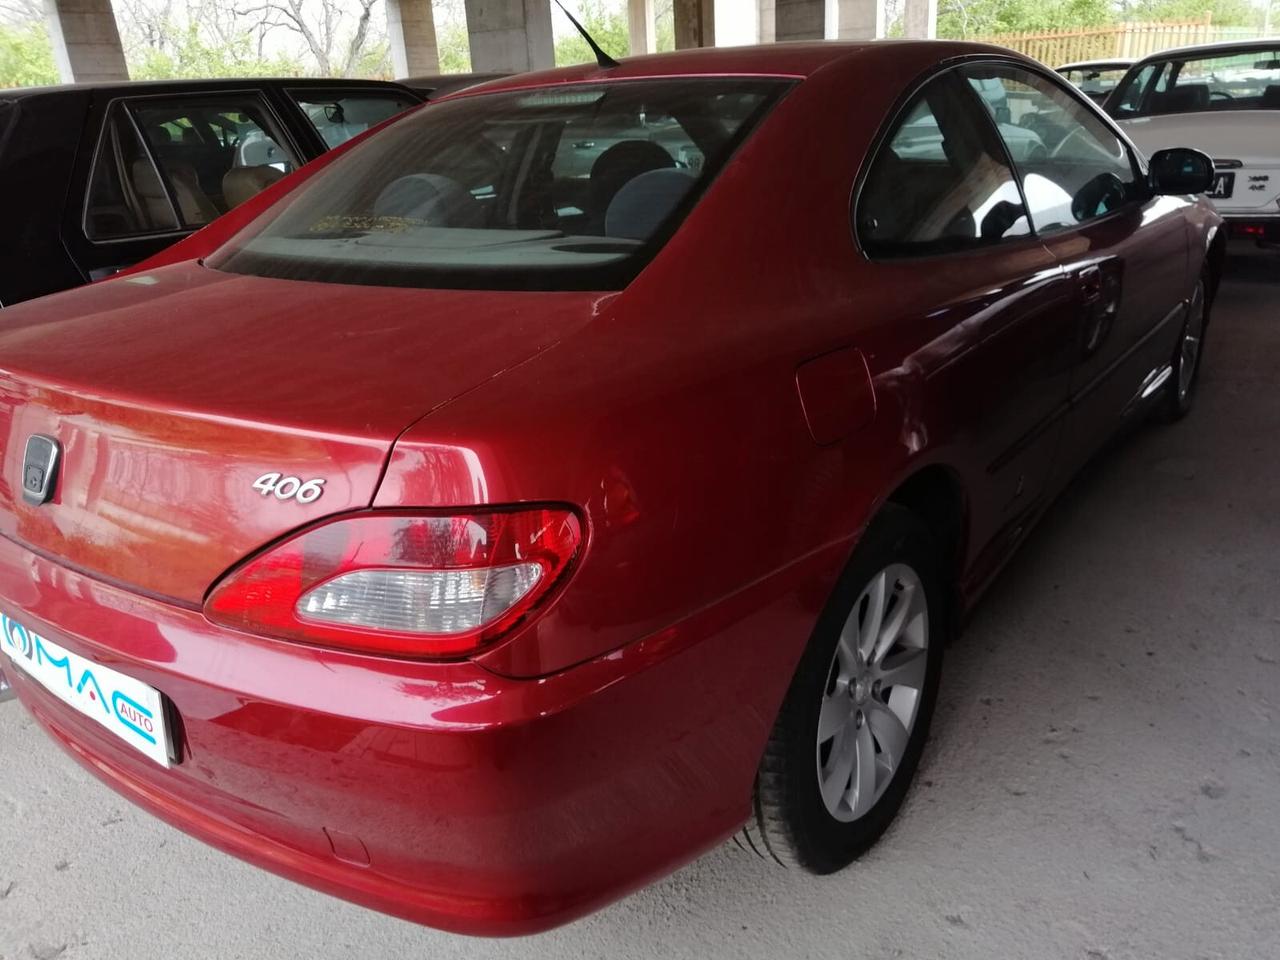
(171, 394)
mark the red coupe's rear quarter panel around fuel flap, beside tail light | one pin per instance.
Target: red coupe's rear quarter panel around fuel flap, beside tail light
(674, 418)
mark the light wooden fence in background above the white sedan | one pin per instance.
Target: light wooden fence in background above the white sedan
(1060, 47)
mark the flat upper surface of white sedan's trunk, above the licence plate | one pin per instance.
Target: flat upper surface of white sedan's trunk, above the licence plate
(1249, 136)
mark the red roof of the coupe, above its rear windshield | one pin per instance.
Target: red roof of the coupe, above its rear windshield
(797, 60)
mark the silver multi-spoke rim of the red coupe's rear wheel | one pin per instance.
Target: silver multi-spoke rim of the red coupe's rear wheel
(874, 693)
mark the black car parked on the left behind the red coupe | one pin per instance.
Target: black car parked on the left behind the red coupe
(99, 177)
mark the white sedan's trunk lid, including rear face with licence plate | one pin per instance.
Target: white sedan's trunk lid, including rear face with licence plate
(1245, 145)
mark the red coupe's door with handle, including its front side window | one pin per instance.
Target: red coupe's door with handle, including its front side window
(1124, 250)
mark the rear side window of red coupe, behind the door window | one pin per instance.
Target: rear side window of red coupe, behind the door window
(940, 182)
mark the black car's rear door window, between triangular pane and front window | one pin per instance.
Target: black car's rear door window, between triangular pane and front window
(213, 153)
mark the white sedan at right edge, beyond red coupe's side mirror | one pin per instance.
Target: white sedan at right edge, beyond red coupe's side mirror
(1223, 99)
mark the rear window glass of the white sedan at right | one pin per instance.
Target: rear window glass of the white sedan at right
(1245, 80)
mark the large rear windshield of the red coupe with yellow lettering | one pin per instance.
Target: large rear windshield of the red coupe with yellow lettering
(570, 188)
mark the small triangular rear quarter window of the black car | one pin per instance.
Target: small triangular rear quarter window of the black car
(126, 196)
